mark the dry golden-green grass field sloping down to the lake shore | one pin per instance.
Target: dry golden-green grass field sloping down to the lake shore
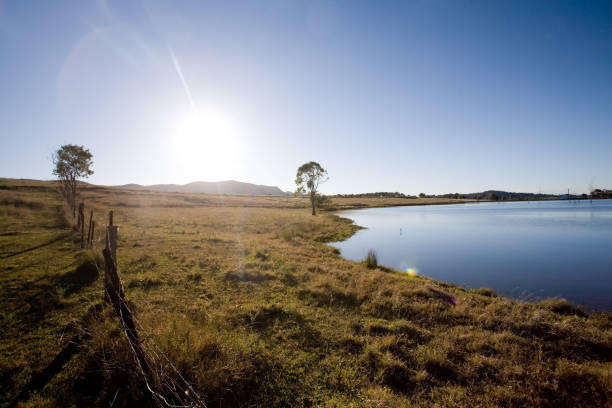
(255, 310)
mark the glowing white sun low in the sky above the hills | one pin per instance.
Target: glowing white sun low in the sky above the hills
(206, 145)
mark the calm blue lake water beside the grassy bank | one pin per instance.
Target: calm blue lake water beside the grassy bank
(527, 250)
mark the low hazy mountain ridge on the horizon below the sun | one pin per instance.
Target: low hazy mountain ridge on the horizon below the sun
(230, 187)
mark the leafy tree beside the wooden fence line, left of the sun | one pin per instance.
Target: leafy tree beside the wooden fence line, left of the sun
(71, 162)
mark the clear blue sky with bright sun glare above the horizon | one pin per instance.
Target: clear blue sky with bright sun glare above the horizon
(411, 96)
